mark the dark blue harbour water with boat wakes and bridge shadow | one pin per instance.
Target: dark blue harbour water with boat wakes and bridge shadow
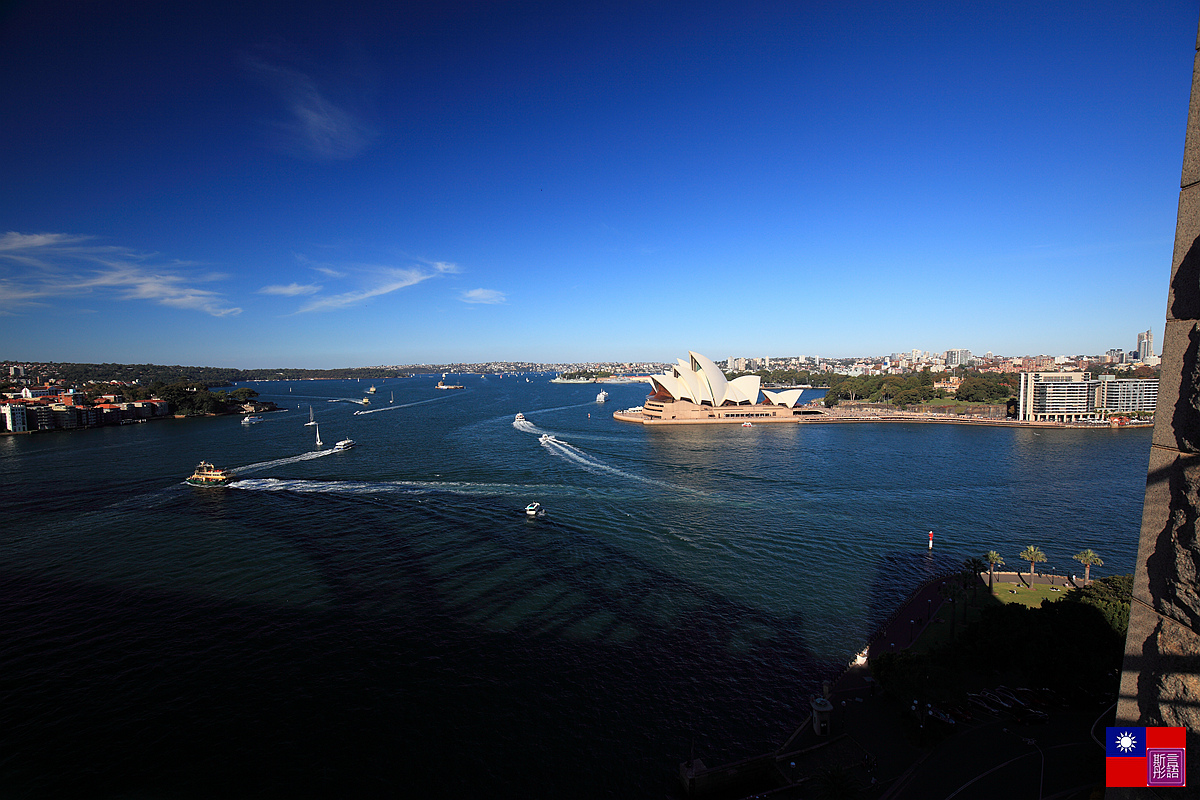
(386, 621)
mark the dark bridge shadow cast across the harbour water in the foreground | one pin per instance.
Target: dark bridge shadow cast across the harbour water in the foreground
(460, 647)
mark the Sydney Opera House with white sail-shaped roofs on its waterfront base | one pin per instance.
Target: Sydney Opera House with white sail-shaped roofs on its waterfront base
(698, 392)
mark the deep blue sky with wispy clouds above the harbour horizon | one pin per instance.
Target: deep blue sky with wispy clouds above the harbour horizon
(298, 184)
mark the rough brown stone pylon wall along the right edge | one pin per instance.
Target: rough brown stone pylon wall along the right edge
(1161, 681)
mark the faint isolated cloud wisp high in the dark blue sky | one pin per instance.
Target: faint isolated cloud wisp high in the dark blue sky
(316, 125)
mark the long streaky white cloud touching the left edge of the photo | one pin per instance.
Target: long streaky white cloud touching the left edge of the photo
(38, 268)
